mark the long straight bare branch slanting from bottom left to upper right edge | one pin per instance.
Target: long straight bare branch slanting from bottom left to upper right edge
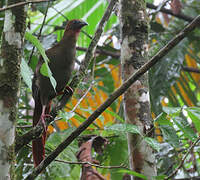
(171, 44)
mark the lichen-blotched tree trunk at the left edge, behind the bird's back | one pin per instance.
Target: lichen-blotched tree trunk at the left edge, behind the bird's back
(11, 50)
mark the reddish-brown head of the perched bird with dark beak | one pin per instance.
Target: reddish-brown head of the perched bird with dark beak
(74, 26)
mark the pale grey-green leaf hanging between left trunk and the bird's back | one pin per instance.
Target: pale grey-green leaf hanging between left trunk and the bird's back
(26, 73)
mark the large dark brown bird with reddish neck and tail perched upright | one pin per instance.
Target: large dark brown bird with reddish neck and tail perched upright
(61, 64)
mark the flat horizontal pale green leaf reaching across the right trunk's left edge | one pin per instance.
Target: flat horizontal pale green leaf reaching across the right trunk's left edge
(127, 128)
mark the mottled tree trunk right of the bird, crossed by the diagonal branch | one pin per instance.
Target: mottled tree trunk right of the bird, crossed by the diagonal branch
(134, 47)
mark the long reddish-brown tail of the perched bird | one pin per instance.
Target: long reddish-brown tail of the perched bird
(39, 143)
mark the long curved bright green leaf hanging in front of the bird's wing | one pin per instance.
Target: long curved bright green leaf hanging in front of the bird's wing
(45, 70)
